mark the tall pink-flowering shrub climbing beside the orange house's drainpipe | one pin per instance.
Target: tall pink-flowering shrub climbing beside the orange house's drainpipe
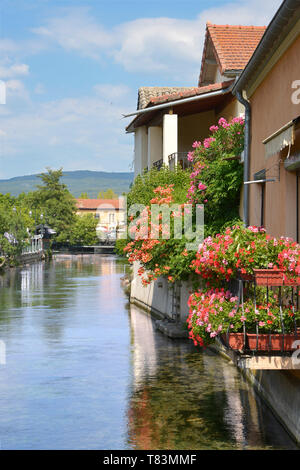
(217, 174)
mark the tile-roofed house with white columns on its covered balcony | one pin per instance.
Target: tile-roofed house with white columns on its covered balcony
(169, 119)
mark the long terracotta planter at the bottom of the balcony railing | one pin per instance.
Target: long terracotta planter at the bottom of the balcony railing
(275, 342)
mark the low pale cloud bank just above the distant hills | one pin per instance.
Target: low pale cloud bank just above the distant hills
(76, 133)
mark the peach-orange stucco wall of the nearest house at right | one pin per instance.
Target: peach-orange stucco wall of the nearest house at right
(272, 108)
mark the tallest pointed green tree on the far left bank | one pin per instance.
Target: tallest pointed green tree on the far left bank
(56, 203)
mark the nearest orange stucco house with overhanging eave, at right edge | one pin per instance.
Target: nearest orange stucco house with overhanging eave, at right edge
(271, 84)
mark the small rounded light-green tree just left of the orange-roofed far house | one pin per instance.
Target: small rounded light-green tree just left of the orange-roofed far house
(84, 230)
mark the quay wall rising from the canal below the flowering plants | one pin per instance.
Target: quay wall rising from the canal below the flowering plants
(280, 389)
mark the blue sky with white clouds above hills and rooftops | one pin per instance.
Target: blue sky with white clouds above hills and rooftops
(73, 67)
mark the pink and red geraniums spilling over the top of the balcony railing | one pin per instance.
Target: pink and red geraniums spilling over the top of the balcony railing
(241, 250)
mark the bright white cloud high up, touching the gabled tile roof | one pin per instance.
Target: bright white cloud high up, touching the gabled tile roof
(164, 46)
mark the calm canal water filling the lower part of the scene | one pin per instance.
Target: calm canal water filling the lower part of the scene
(84, 370)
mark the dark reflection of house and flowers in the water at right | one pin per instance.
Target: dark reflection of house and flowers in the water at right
(183, 399)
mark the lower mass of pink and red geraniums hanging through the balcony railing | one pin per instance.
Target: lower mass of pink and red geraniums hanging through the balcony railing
(217, 311)
